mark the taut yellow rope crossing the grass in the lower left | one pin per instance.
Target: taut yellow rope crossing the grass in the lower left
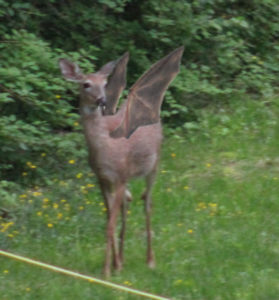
(78, 275)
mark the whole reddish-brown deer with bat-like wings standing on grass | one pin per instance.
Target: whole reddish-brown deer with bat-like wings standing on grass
(124, 143)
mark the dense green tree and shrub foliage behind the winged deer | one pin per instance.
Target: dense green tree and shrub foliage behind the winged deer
(231, 48)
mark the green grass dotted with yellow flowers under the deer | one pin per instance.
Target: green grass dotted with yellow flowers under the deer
(215, 219)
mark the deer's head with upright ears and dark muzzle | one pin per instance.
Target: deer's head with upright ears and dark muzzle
(92, 86)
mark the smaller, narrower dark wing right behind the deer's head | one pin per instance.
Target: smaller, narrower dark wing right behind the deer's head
(116, 84)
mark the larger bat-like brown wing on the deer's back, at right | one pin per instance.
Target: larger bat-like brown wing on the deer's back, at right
(146, 95)
